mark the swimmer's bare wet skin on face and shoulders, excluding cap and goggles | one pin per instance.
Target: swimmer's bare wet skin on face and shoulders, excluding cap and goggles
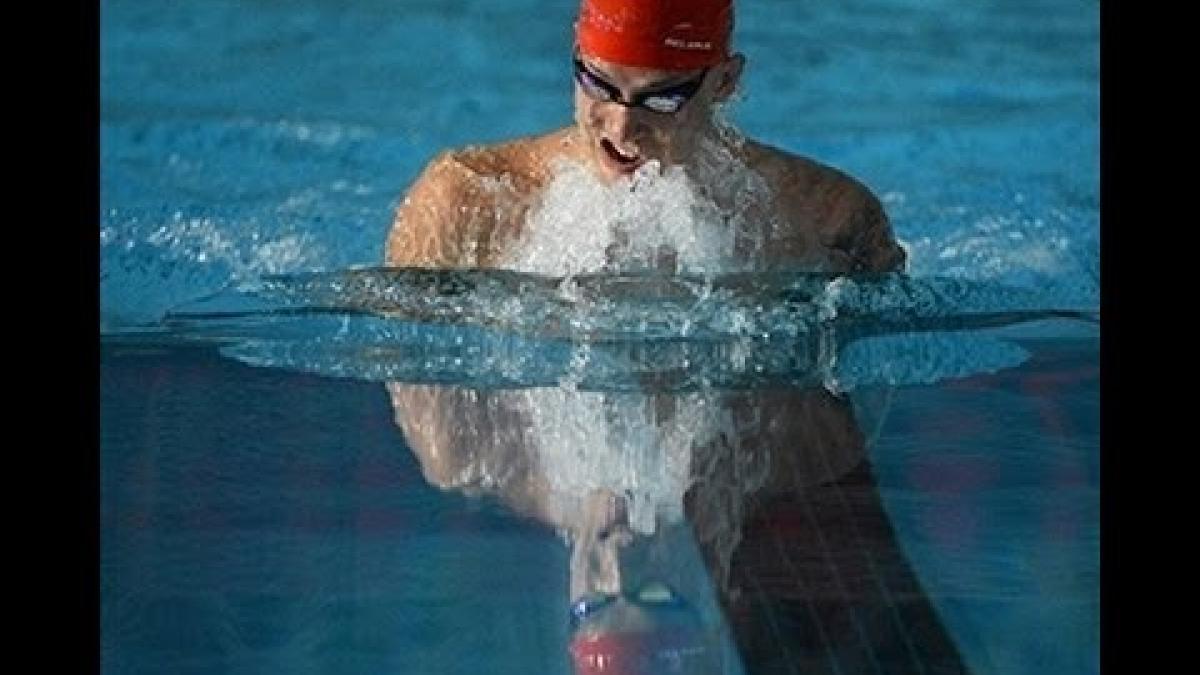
(471, 206)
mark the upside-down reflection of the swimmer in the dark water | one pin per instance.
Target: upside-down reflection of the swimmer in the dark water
(711, 530)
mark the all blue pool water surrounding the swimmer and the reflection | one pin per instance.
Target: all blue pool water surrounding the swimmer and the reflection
(262, 512)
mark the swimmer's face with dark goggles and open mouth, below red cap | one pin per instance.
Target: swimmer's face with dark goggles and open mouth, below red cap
(621, 138)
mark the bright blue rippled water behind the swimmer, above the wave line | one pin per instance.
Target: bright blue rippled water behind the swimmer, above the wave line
(239, 139)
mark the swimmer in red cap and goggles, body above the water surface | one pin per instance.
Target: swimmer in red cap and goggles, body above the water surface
(650, 79)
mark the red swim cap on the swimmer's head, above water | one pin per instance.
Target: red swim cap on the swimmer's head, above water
(656, 34)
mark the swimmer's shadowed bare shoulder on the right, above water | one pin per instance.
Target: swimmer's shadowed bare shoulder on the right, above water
(832, 207)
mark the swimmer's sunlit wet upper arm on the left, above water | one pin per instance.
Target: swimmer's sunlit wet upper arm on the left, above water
(429, 228)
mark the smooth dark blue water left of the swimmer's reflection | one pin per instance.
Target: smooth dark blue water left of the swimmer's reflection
(260, 521)
